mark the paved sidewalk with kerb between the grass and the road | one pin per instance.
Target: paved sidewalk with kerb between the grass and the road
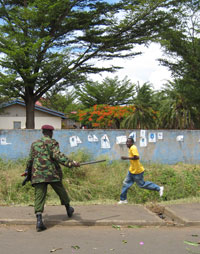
(104, 215)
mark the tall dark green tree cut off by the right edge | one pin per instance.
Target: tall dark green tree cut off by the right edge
(182, 46)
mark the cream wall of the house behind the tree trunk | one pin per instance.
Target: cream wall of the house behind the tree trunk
(17, 113)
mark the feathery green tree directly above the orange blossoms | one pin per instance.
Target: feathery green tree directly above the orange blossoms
(110, 91)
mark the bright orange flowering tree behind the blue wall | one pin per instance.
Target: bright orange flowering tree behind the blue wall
(105, 116)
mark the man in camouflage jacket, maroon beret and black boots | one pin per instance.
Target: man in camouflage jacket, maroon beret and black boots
(43, 168)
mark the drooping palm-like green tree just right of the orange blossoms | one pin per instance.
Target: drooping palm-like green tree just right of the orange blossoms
(145, 115)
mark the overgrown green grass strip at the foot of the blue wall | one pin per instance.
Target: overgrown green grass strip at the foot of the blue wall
(102, 182)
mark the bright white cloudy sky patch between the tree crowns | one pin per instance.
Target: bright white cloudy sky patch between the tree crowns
(142, 68)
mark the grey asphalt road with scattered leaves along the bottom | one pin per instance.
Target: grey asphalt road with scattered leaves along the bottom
(98, 240)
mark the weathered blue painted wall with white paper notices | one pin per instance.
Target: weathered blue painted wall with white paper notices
(15, 144)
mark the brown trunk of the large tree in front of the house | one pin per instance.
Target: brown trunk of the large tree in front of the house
(30, 113)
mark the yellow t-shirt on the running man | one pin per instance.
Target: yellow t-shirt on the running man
(135, 165)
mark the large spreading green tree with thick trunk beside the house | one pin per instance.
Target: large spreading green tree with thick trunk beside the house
(51, 43)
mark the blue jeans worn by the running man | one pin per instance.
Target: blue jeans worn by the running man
(138, 178)
